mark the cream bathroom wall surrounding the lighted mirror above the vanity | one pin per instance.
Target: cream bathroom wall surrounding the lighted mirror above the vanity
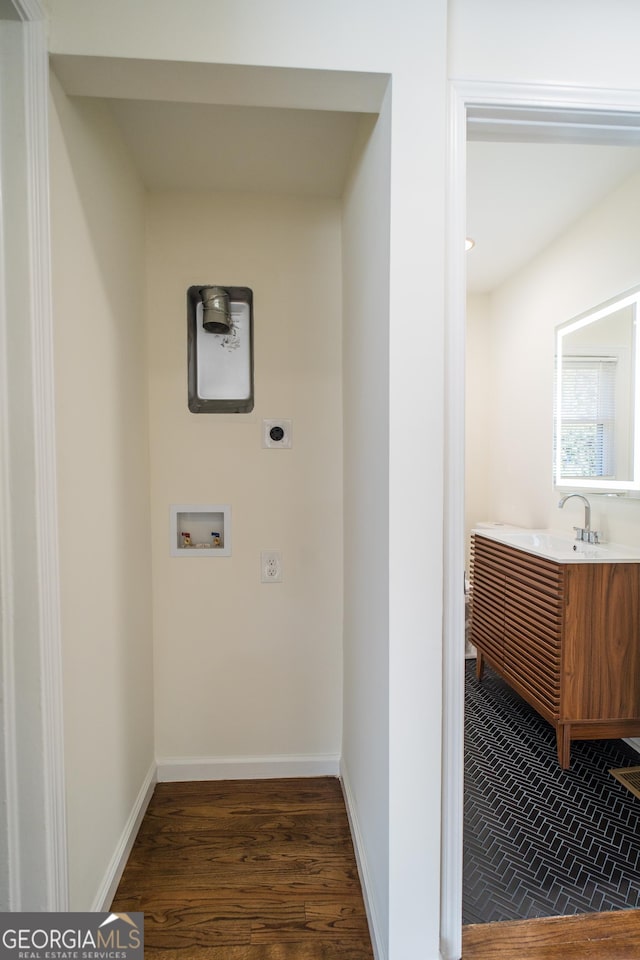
(592, 262)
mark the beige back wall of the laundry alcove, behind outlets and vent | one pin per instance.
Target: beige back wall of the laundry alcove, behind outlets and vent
(244, 669)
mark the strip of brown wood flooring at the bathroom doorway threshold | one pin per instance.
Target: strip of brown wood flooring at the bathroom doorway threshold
(591, 936)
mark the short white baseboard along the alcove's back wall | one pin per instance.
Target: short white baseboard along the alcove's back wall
(175, 769)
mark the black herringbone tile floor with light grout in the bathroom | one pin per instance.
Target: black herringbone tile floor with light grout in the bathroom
(540, 841)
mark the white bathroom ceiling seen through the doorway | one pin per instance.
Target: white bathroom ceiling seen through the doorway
(520, 196)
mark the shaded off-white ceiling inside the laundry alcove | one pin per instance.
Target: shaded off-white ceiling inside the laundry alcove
(199, 146)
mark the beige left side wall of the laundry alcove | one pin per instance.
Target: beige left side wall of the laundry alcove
(103, 481)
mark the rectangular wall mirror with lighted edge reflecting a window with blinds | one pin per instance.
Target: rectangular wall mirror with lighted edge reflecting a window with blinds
(596, 426)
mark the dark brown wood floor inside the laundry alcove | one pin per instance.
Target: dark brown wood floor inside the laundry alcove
(247, 870)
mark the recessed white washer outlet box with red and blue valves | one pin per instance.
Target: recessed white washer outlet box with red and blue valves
(200, 530)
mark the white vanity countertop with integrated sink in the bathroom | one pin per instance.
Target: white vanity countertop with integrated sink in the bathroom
(560, 547)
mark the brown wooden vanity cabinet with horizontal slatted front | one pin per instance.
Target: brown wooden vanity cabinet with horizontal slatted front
(565, 636)
